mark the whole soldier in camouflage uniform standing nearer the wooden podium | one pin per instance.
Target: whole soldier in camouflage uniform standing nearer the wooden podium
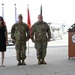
(40, 36)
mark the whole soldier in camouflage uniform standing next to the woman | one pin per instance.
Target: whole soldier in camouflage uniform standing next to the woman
(20, 34)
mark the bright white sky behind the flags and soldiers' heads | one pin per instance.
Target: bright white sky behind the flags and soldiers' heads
(57, 12)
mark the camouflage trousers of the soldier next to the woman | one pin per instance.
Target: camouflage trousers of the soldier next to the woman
(20, 50)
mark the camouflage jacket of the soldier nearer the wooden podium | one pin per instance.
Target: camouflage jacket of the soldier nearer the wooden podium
(41, 30)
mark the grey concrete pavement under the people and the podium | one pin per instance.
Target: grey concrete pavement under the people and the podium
(57, 63)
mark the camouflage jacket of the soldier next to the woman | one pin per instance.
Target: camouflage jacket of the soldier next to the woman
(20, 32)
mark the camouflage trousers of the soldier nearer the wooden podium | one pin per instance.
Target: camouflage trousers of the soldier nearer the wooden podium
(41, 46)
